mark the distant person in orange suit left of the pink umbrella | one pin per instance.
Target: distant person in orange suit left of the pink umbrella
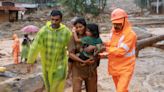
(15, 48)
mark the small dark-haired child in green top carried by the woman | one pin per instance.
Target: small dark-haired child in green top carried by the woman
(92, 38)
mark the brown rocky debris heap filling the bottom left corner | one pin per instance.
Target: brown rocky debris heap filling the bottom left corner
(18, 79)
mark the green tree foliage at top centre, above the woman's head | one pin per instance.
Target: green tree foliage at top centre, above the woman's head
(84, 6)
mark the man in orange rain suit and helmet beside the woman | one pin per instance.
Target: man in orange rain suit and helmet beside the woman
(121, 50)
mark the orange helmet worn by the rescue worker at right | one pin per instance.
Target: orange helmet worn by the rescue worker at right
(118, 14)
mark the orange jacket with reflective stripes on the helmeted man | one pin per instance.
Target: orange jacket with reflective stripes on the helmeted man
(121, 49)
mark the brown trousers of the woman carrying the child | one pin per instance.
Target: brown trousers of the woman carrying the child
(86, 74)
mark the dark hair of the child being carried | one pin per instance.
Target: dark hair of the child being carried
(94, 29)
